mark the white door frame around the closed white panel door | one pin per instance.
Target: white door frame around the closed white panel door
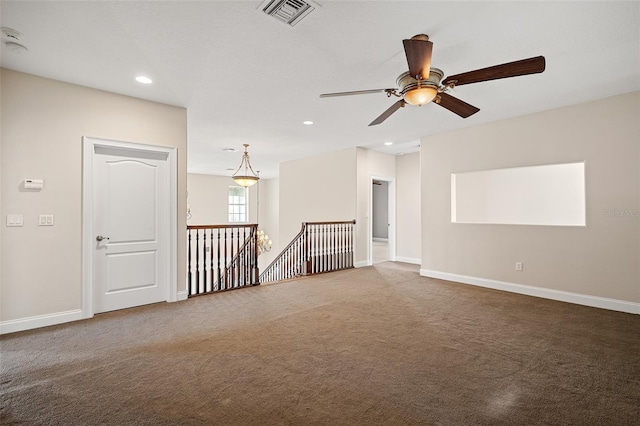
(89, 145)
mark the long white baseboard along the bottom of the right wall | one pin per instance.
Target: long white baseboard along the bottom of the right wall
(546, 293)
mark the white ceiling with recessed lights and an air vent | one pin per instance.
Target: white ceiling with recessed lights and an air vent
(245, 77)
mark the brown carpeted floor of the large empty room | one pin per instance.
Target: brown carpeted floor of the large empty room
(370, 346)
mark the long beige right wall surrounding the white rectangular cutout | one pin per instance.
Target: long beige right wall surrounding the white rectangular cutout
(600, 260)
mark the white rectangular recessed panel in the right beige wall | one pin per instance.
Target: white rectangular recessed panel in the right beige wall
(533, 195)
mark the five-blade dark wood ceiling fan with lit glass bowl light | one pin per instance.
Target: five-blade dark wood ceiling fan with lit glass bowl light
(421, 84)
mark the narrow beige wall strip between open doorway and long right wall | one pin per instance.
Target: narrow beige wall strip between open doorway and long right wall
(408, 208)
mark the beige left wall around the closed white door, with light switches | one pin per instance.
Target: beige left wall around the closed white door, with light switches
(43, 122)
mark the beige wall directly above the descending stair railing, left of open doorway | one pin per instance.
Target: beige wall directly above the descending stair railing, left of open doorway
(320, 188)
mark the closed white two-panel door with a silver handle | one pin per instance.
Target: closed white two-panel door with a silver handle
(130, 228)
